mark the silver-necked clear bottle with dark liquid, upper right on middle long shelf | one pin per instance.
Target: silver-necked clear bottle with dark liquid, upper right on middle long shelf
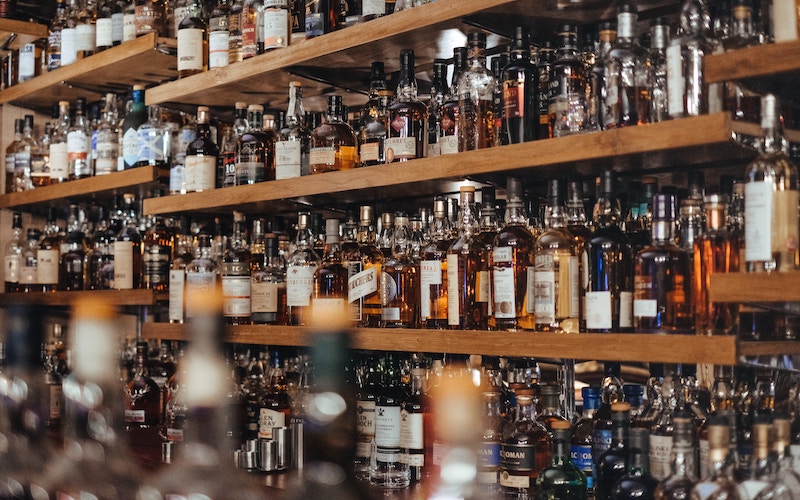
(627, 76)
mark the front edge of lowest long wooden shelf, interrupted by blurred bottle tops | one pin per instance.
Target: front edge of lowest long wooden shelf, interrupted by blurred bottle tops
(609, 347)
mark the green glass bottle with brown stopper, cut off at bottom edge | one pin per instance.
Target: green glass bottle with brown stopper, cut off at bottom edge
(561, 480)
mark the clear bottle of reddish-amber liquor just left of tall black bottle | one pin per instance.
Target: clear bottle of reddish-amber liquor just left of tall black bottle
(476, 86)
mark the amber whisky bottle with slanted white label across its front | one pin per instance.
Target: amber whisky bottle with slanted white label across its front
(364, 270)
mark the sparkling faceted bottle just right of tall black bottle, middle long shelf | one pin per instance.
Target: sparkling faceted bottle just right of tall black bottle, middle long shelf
(566, 102)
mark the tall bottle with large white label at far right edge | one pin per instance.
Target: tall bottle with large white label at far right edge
(771, 199)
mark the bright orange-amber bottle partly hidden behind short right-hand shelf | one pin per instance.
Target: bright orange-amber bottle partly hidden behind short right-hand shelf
(715, 251)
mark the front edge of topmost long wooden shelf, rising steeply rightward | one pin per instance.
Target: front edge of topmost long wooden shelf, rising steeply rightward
(307, 50)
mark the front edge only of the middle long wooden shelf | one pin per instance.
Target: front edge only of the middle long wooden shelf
(689, 132)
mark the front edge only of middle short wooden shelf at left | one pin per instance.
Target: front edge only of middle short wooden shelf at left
(83, 187)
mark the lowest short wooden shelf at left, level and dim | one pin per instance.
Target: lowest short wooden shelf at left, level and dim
(112, 297)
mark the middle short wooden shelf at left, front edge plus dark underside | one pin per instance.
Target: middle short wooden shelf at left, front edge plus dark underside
(136, 180)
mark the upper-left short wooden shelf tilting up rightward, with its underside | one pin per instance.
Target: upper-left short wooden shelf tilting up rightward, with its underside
(114, 70)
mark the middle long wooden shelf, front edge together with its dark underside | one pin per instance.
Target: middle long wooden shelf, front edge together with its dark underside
(690, 141)
